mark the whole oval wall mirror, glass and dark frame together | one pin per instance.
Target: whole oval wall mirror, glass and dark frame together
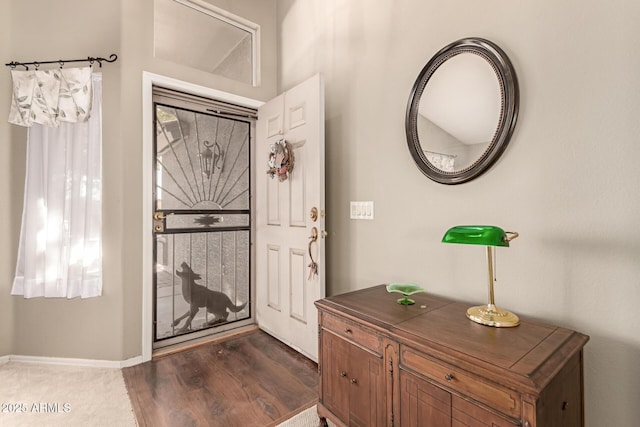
(462, 111)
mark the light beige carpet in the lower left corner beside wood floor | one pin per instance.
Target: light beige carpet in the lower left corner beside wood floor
(53, 395)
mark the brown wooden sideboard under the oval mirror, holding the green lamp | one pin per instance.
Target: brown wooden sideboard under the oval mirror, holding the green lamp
(385, 364)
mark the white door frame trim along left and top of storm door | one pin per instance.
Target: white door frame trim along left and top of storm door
(148, 80)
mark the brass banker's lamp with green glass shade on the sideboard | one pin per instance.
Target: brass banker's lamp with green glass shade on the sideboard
(489, 236)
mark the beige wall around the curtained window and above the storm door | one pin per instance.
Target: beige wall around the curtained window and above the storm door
(109, 327)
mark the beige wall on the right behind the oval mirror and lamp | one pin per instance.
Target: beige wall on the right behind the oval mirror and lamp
(568, 182)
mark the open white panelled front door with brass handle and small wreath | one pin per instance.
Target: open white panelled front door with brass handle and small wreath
(290, 262)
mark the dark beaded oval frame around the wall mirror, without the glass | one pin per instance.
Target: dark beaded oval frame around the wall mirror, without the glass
(509, 94)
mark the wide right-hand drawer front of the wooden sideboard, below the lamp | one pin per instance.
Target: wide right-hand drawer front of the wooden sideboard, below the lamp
(502, 399)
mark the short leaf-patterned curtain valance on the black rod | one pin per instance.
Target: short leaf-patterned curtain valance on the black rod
(50, 97)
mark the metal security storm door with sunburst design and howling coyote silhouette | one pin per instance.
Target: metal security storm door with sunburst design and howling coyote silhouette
(202, 217)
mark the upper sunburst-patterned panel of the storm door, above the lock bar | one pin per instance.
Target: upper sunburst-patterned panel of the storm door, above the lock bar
(202, 161)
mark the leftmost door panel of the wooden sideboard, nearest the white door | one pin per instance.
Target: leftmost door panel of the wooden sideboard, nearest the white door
(335, 383)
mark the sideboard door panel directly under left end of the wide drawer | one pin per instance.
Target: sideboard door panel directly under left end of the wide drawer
(422, 403)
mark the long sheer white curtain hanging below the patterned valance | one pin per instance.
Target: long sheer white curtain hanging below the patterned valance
(60, 251)
